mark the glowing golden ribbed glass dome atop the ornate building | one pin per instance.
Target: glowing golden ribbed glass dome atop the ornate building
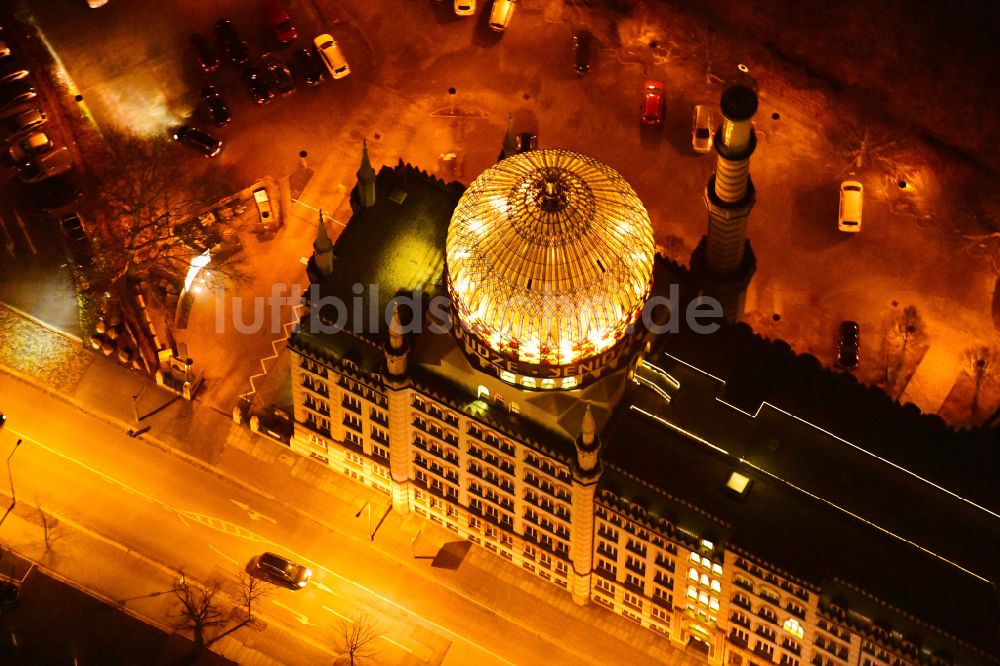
(550, 257)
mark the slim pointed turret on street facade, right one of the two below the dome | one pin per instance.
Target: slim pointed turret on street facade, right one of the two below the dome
(586, 472)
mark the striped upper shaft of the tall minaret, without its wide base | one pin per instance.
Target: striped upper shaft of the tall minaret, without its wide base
(730, 192)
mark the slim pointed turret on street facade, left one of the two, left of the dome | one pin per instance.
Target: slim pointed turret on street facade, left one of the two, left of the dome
(397, 351)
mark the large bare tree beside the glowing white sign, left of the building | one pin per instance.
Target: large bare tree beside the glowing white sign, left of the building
(148, 222)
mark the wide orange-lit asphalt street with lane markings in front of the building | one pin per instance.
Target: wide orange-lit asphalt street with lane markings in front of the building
(166, 516)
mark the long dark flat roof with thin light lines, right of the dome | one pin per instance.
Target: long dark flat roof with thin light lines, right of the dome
(817, 506)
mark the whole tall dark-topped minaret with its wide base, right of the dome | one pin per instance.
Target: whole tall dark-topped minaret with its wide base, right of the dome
(724, 260)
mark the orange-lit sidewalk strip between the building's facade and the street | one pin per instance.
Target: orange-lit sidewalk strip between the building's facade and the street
(209, 439)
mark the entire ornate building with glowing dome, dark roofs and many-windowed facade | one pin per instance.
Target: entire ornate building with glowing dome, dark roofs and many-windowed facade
(570, 443)
